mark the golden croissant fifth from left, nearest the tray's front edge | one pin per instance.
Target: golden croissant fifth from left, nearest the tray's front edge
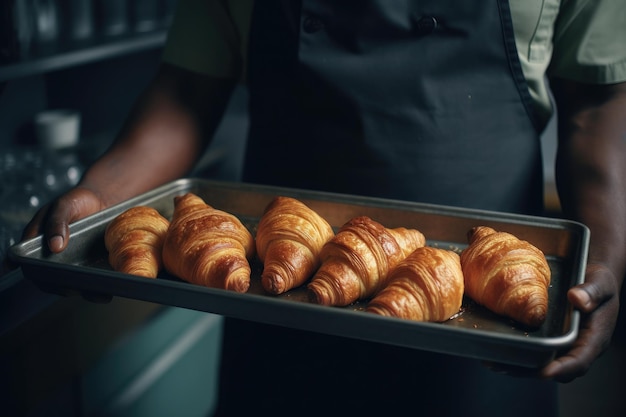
(426, 286)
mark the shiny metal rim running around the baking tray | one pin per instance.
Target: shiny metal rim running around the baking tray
(21, 251)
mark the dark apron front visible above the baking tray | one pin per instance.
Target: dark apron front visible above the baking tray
(412, 100)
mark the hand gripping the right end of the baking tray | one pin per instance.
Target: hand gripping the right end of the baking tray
(598, 301)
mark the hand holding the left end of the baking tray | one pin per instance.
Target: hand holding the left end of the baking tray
(54, 218)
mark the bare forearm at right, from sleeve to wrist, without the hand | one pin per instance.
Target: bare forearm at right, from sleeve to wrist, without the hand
(591, 167)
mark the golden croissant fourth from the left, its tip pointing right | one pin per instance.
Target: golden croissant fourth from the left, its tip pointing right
(356, 262)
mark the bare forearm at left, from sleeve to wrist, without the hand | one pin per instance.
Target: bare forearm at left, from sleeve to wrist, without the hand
(164, 136)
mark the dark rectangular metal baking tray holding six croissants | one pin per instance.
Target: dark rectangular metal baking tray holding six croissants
(474, 332)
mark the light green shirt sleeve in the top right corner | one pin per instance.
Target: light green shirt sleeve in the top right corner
(590, 41)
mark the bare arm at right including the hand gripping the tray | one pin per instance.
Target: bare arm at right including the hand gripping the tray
(591, 180)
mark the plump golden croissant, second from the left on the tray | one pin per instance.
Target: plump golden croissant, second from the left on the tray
(206, 246)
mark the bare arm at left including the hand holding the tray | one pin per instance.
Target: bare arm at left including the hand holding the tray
(169, 127)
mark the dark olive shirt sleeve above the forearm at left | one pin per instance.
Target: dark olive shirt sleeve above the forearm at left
(210, 37)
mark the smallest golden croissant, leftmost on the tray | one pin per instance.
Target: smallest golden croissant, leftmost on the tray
(134, 240)
